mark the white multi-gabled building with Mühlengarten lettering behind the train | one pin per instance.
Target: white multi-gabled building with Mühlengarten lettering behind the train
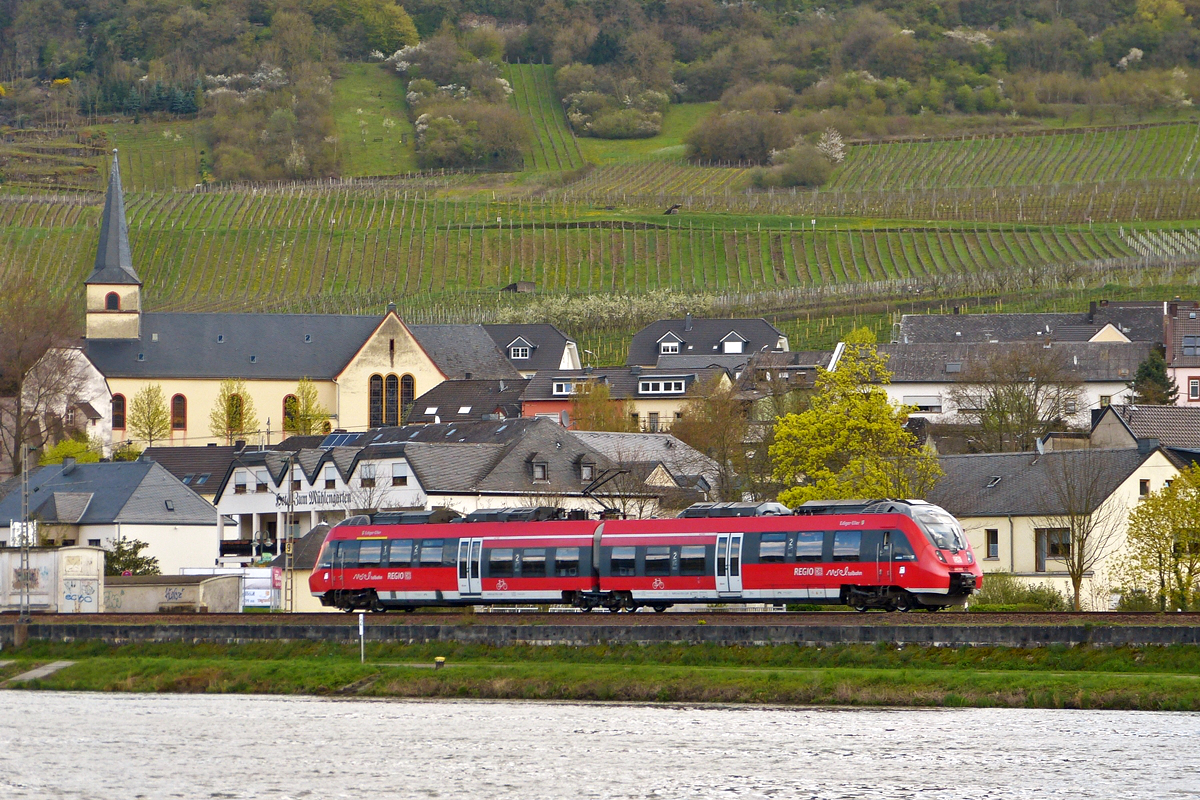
(459, 466)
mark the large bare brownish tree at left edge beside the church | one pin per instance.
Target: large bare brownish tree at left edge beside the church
(39, 372)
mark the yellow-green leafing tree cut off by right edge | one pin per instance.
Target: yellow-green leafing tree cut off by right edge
(1162, 554)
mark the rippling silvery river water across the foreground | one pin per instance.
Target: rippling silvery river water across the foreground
(122, 747)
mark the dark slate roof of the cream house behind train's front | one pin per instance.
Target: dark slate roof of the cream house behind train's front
(1024, 480)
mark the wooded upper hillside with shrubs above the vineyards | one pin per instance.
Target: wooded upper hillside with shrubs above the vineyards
(262, 70)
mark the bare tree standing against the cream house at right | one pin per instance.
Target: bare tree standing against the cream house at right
(1083, 521)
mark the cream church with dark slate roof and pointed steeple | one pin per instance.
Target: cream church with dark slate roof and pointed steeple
(368, 370)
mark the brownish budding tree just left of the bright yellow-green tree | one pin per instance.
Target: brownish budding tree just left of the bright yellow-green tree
(716, 424)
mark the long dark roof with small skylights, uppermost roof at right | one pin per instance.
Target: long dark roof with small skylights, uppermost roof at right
(1141, 322)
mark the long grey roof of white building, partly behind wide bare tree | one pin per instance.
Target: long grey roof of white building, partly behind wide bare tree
(1090, 363)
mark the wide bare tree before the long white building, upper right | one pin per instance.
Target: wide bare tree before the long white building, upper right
(1017, 395)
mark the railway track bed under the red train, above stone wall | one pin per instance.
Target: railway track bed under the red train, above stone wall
(710, 618)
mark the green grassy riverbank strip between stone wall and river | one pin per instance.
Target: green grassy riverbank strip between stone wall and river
(1148, 679)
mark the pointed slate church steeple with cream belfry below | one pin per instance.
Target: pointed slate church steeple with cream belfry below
(115, 290)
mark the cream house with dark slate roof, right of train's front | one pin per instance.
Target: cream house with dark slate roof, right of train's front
(1017, 509)
